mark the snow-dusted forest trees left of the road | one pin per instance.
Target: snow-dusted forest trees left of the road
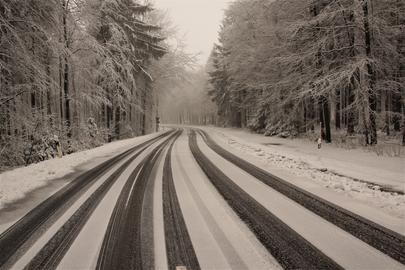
(81, 70)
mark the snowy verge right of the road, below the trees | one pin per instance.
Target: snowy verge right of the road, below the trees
(356, 174)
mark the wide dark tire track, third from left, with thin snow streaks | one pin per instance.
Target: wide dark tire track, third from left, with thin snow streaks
(123, 242)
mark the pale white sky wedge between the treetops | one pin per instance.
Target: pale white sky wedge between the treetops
(199, 20)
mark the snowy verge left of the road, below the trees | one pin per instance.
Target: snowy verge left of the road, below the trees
(15, 184)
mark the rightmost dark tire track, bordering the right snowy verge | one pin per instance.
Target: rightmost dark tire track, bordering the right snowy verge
(377, 236)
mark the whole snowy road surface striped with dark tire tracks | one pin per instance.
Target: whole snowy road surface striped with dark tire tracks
(180, 199)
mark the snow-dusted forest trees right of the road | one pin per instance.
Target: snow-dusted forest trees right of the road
(288, 66)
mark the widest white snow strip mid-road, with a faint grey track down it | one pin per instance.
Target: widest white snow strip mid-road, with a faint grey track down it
(220, 239)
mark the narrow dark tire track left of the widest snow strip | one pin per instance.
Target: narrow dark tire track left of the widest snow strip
(179, 248)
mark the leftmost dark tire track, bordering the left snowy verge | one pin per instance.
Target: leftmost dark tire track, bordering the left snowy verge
(18, 234)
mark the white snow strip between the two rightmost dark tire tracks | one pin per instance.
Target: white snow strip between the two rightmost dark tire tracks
(339, 245)
